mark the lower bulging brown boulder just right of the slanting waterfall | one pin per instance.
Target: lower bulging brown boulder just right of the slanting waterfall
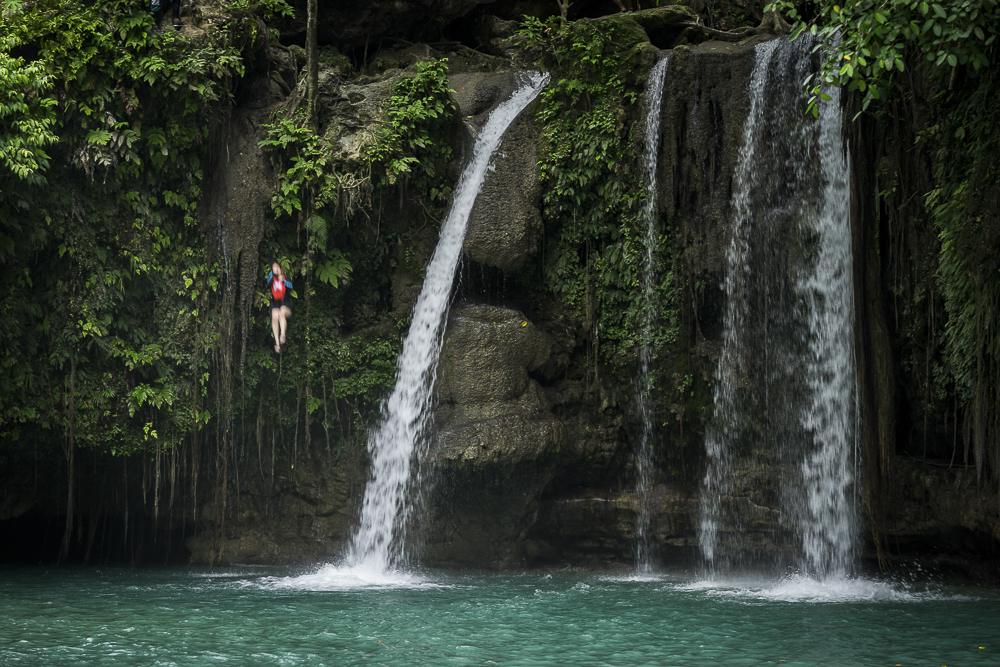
(495, 439)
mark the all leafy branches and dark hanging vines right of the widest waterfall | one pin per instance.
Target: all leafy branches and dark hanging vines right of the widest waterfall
(923, 73)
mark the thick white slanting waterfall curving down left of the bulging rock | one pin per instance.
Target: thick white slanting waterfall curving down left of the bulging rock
(379, 543)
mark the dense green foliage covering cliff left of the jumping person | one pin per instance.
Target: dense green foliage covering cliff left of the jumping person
(107, 280)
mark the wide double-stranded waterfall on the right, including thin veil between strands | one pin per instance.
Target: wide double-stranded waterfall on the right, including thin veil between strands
(778, 485)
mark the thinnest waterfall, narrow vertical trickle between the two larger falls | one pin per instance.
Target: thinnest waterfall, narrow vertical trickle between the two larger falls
(644, 451)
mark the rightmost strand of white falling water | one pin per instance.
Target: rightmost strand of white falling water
(828, 519)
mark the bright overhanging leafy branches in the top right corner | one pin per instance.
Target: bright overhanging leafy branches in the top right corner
(867, 41)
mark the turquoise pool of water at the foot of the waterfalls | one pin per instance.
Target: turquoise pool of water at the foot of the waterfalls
(336, 617)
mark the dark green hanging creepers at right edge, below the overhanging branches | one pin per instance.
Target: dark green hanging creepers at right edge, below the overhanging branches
(964, 207)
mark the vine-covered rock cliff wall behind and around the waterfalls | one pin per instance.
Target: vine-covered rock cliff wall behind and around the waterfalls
(140, 355)
